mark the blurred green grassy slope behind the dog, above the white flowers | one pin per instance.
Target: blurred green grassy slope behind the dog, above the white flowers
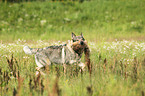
(99, 20)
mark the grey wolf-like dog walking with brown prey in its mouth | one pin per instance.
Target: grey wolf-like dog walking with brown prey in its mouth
(69, 53)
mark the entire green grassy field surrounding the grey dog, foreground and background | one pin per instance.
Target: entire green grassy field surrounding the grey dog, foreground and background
(115, 33)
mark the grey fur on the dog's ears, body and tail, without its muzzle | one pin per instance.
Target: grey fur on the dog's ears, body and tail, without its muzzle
(62, 54)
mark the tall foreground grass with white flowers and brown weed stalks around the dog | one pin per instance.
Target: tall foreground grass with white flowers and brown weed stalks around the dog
(117, 69)
